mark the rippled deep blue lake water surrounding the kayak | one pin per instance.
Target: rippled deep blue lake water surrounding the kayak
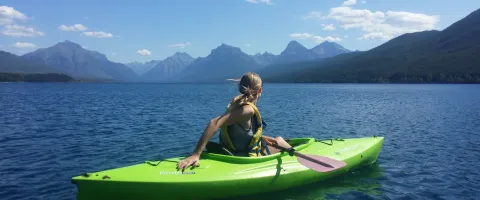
(51, 132)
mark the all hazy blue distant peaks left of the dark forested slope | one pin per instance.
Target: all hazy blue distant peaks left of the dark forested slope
(222, 63)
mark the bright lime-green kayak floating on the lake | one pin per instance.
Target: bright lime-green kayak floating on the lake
(221, 176)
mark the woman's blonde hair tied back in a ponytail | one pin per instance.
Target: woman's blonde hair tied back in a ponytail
(249, 88)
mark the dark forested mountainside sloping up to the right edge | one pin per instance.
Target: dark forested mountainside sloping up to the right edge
(448, 56)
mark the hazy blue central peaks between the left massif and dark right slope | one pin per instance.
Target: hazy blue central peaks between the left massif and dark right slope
(225, 62)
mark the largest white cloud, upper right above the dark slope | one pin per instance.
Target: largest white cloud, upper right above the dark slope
(380, 25)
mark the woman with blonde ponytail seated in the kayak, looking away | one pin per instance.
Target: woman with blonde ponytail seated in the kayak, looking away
(241, 126)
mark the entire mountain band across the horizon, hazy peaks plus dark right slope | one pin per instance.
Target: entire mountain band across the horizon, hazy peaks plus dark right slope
(447, 56)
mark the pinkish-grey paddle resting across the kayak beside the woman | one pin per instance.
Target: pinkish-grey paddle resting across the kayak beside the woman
(314, 162)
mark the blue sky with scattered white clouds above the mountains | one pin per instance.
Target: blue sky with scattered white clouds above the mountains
(141, 30)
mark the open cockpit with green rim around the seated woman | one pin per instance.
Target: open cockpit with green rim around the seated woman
(216, 152)
